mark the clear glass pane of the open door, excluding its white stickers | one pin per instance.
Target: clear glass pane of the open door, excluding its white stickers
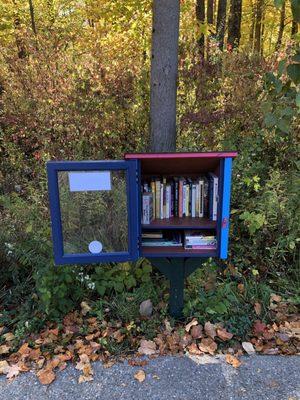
(97, 215)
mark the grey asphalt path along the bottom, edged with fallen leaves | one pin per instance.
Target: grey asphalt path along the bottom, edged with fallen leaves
(180, 378)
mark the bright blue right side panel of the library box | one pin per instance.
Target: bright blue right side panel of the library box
(225, 209)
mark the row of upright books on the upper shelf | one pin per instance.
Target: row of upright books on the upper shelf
(180, 197)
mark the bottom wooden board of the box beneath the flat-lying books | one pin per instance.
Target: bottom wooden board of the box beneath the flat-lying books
(171, 251)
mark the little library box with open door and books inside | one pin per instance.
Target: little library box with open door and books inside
(147, 205)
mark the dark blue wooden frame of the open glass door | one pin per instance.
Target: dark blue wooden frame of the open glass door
(131, 168)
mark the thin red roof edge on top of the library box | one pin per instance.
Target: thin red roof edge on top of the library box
(221, 154)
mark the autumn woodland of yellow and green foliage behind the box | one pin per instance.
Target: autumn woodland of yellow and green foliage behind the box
(74, 85)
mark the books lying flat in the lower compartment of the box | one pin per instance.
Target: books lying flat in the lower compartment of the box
(194, 240)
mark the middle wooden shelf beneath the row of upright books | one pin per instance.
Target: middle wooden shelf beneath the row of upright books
(181, 223)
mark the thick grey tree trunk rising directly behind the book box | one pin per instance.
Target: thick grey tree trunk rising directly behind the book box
(164, 71)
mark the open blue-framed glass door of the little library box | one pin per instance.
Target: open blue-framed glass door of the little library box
(94, 211)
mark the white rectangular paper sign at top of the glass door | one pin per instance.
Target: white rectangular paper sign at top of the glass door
(89, 181)
